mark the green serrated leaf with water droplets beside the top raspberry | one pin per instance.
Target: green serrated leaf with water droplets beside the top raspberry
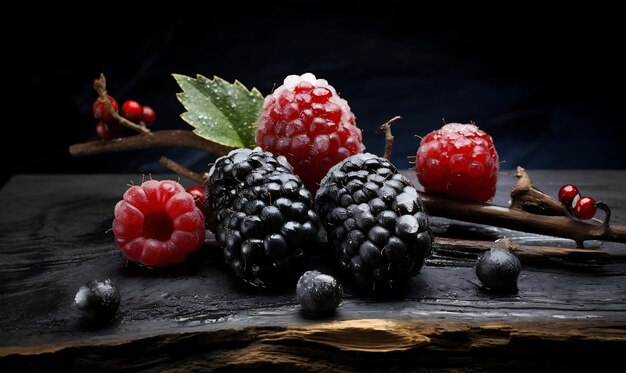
(219, 111)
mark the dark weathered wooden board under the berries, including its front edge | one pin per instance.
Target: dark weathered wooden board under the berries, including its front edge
(53, 238)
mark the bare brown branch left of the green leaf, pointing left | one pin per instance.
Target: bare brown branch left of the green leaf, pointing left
(166, 138)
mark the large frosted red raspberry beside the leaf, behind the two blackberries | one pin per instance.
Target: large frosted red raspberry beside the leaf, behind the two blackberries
(306, 121)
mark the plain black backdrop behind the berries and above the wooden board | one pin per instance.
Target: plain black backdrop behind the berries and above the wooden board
(547, 85)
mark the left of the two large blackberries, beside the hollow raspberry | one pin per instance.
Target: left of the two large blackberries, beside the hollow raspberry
(262, 216)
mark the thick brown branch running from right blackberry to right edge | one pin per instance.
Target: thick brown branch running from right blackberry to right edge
(516, 219)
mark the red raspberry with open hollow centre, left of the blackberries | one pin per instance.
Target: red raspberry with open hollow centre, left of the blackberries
(158, 223)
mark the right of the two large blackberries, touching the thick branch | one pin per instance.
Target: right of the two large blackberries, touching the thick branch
(375, 221)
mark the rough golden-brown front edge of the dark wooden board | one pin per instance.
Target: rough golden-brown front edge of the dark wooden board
(354, 345)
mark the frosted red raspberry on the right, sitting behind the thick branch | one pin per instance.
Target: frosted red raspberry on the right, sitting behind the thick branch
(459, 160)
